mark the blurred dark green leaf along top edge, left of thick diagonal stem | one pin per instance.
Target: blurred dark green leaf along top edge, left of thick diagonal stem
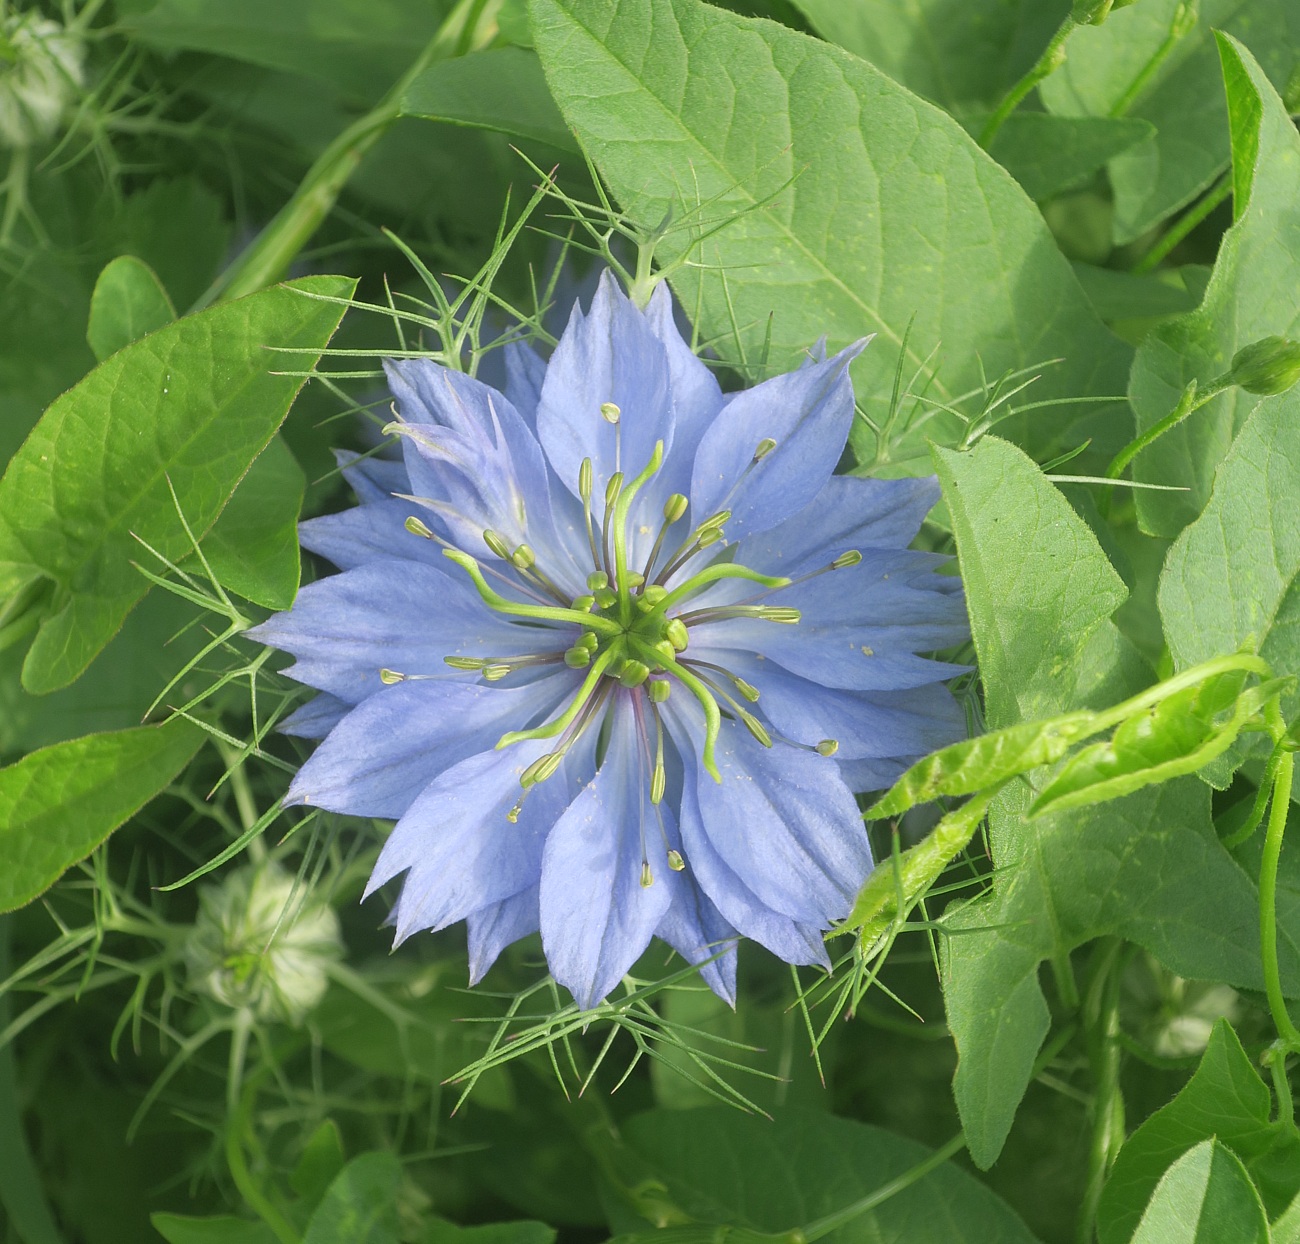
(362, 46)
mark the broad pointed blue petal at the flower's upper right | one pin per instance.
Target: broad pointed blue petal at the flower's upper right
(808, 414)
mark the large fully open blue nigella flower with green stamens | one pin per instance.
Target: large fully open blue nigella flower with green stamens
(616, 651)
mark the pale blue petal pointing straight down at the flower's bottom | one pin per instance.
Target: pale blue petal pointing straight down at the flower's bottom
(597, 917)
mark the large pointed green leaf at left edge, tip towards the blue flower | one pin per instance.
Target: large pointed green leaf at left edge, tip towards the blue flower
(193, 406)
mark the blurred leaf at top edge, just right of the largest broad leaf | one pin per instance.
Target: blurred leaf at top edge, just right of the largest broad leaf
(956, 53)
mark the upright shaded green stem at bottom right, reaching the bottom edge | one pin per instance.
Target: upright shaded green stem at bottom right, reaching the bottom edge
(1106, 1055)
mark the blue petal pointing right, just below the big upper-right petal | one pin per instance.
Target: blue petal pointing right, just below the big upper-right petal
(850, 513)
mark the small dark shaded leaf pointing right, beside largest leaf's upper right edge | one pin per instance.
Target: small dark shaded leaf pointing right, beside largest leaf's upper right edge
(1048, 154)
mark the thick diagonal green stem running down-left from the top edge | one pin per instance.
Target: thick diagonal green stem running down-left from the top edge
(279, 244)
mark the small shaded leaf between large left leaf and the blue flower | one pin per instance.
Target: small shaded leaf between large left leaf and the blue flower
(253, 548)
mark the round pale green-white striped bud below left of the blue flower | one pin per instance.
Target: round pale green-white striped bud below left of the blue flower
(253, 948)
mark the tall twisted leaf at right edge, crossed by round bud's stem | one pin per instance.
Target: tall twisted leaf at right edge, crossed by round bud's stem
(1250, 296)
